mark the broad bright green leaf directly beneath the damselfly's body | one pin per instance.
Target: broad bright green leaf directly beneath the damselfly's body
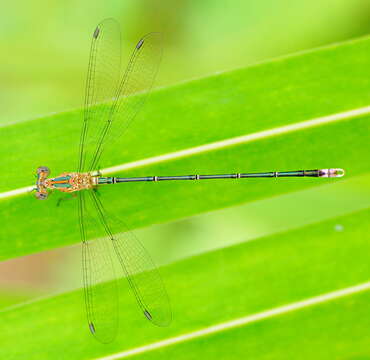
(266, 96)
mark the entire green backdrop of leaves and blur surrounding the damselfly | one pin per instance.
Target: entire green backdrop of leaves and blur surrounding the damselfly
(227, 249)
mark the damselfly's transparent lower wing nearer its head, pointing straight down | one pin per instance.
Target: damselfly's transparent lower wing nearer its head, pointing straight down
(100, 285)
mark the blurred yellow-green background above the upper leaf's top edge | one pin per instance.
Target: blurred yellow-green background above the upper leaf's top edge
(44, 46)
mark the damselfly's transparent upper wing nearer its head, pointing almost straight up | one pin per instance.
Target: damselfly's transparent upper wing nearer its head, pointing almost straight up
(102, 85)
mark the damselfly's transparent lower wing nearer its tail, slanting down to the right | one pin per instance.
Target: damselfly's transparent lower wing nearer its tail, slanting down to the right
(139, 269)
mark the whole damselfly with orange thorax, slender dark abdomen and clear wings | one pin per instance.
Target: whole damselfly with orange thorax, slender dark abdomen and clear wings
(111, 103)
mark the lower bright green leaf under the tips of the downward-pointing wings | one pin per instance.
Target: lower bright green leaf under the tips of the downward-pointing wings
(220, 286)
